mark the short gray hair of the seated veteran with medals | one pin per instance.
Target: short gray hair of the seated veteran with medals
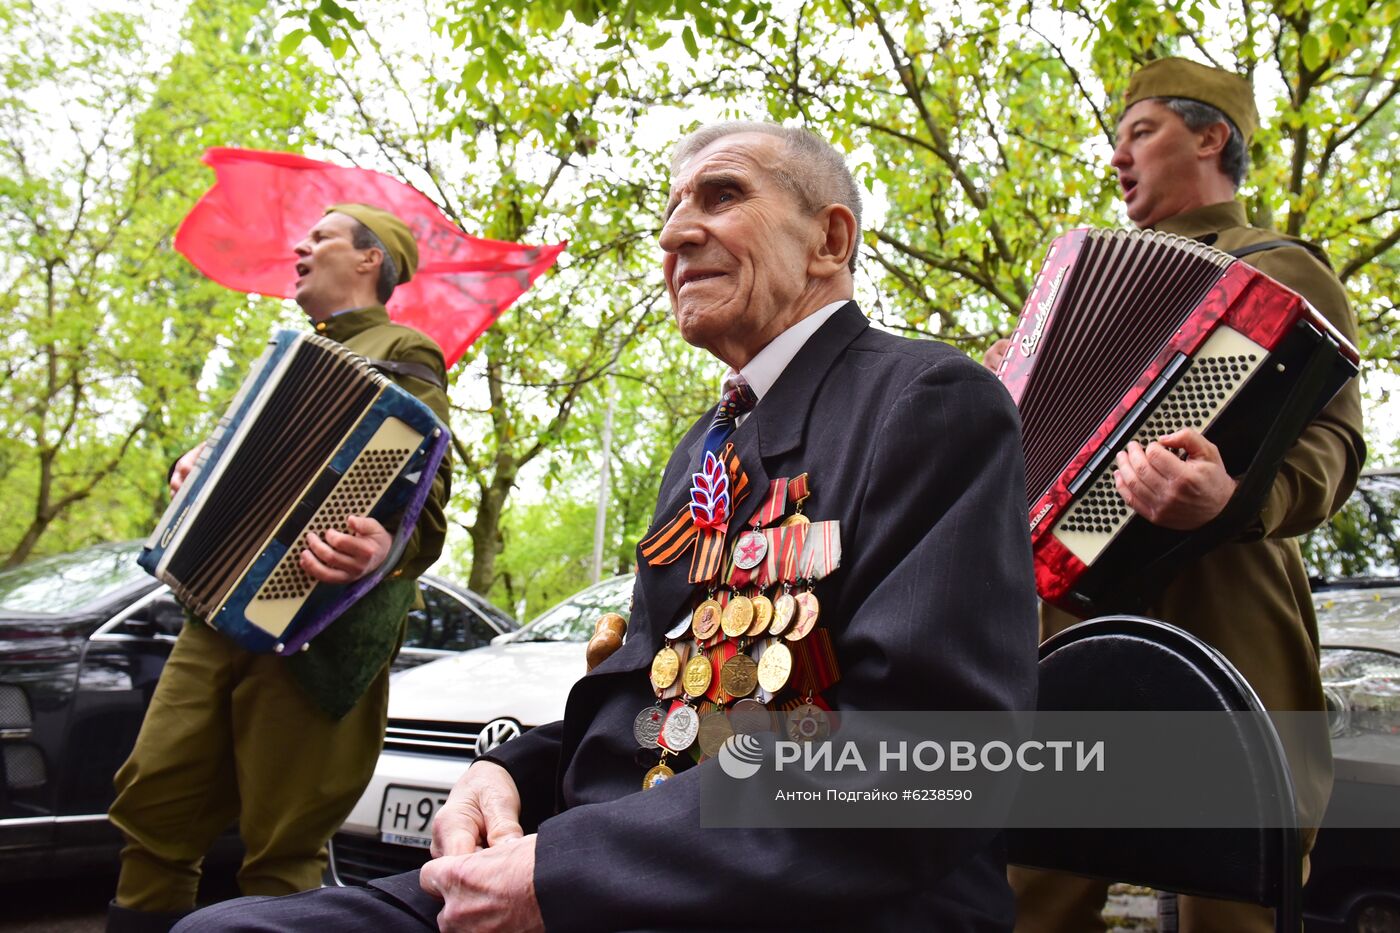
(814, 170)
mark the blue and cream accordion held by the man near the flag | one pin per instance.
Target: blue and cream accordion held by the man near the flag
(314, 435)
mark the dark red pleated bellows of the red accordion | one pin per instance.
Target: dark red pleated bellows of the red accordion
(1123, 299)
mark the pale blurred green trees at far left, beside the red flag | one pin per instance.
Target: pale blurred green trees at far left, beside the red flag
(108, 333)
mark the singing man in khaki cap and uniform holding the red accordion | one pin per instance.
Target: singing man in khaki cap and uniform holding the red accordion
(1181, 156)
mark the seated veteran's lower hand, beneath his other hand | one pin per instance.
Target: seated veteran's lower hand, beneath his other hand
(489, 890)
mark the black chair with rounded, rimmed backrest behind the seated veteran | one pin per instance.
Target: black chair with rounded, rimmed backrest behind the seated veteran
(1128, 663)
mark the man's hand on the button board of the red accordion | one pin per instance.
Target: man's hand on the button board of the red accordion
(1171, 492)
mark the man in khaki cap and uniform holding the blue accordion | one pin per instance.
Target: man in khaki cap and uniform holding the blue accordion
(285, 746)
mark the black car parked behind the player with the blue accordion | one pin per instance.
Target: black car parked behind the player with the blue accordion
(83, 640)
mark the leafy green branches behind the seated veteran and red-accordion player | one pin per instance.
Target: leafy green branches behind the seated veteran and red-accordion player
(981, 130)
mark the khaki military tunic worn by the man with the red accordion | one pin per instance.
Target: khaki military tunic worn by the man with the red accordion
(1249, 599)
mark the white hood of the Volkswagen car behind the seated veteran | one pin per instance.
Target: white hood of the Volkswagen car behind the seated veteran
(526, 682)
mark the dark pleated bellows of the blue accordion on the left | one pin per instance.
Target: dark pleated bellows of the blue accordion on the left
(321, 396)
